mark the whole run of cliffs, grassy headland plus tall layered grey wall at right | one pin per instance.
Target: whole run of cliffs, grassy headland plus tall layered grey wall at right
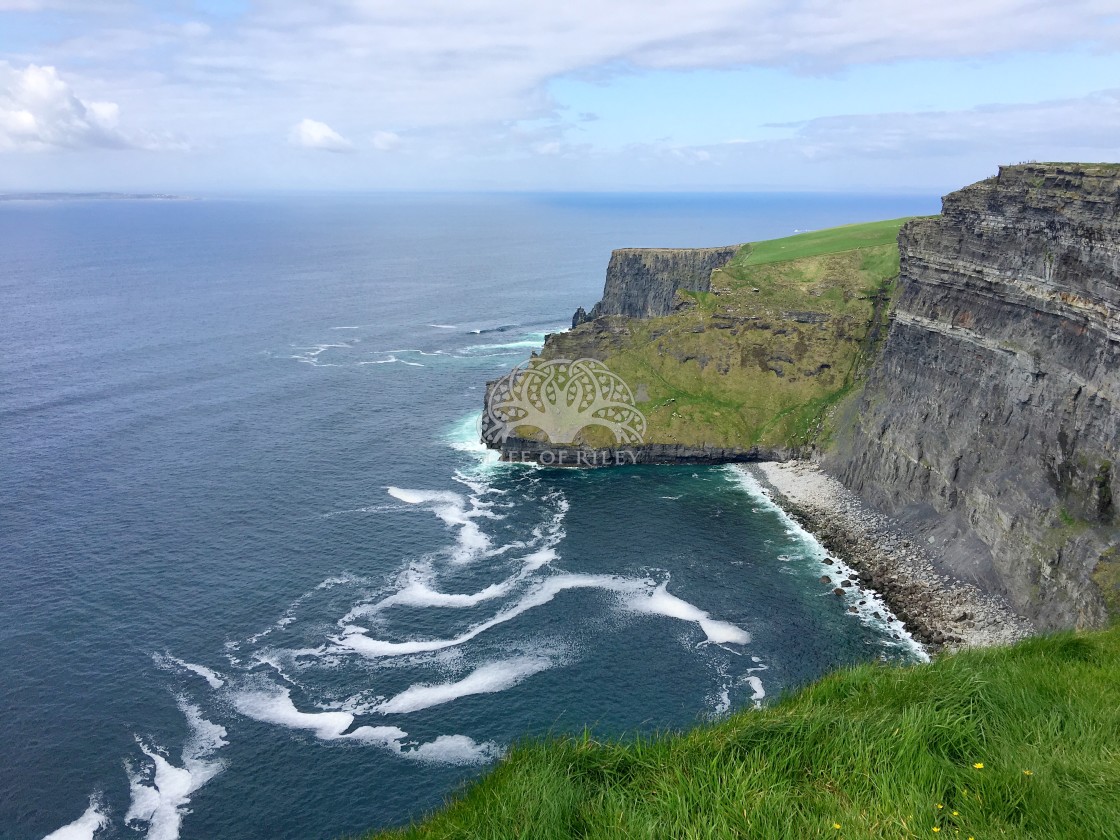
(959, 372)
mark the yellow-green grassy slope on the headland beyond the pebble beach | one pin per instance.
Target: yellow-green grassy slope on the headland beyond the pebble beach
(743, 366)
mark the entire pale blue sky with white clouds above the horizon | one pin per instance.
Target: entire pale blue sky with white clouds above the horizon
(535, 95)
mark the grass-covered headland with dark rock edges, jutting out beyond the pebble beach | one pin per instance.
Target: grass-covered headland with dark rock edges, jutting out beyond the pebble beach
(742, 369)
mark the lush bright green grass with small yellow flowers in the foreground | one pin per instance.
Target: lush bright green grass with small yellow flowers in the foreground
(880, 752)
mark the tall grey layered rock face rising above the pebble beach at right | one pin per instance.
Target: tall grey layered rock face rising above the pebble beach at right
(992, 419)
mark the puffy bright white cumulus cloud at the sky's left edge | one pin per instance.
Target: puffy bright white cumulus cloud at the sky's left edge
(39, 110)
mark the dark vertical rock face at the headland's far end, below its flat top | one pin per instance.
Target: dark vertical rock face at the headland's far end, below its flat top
(642, 283)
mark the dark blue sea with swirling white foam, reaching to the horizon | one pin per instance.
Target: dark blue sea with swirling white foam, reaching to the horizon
(257, 581)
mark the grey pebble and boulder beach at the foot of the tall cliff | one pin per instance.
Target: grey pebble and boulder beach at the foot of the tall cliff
(938, 610)
